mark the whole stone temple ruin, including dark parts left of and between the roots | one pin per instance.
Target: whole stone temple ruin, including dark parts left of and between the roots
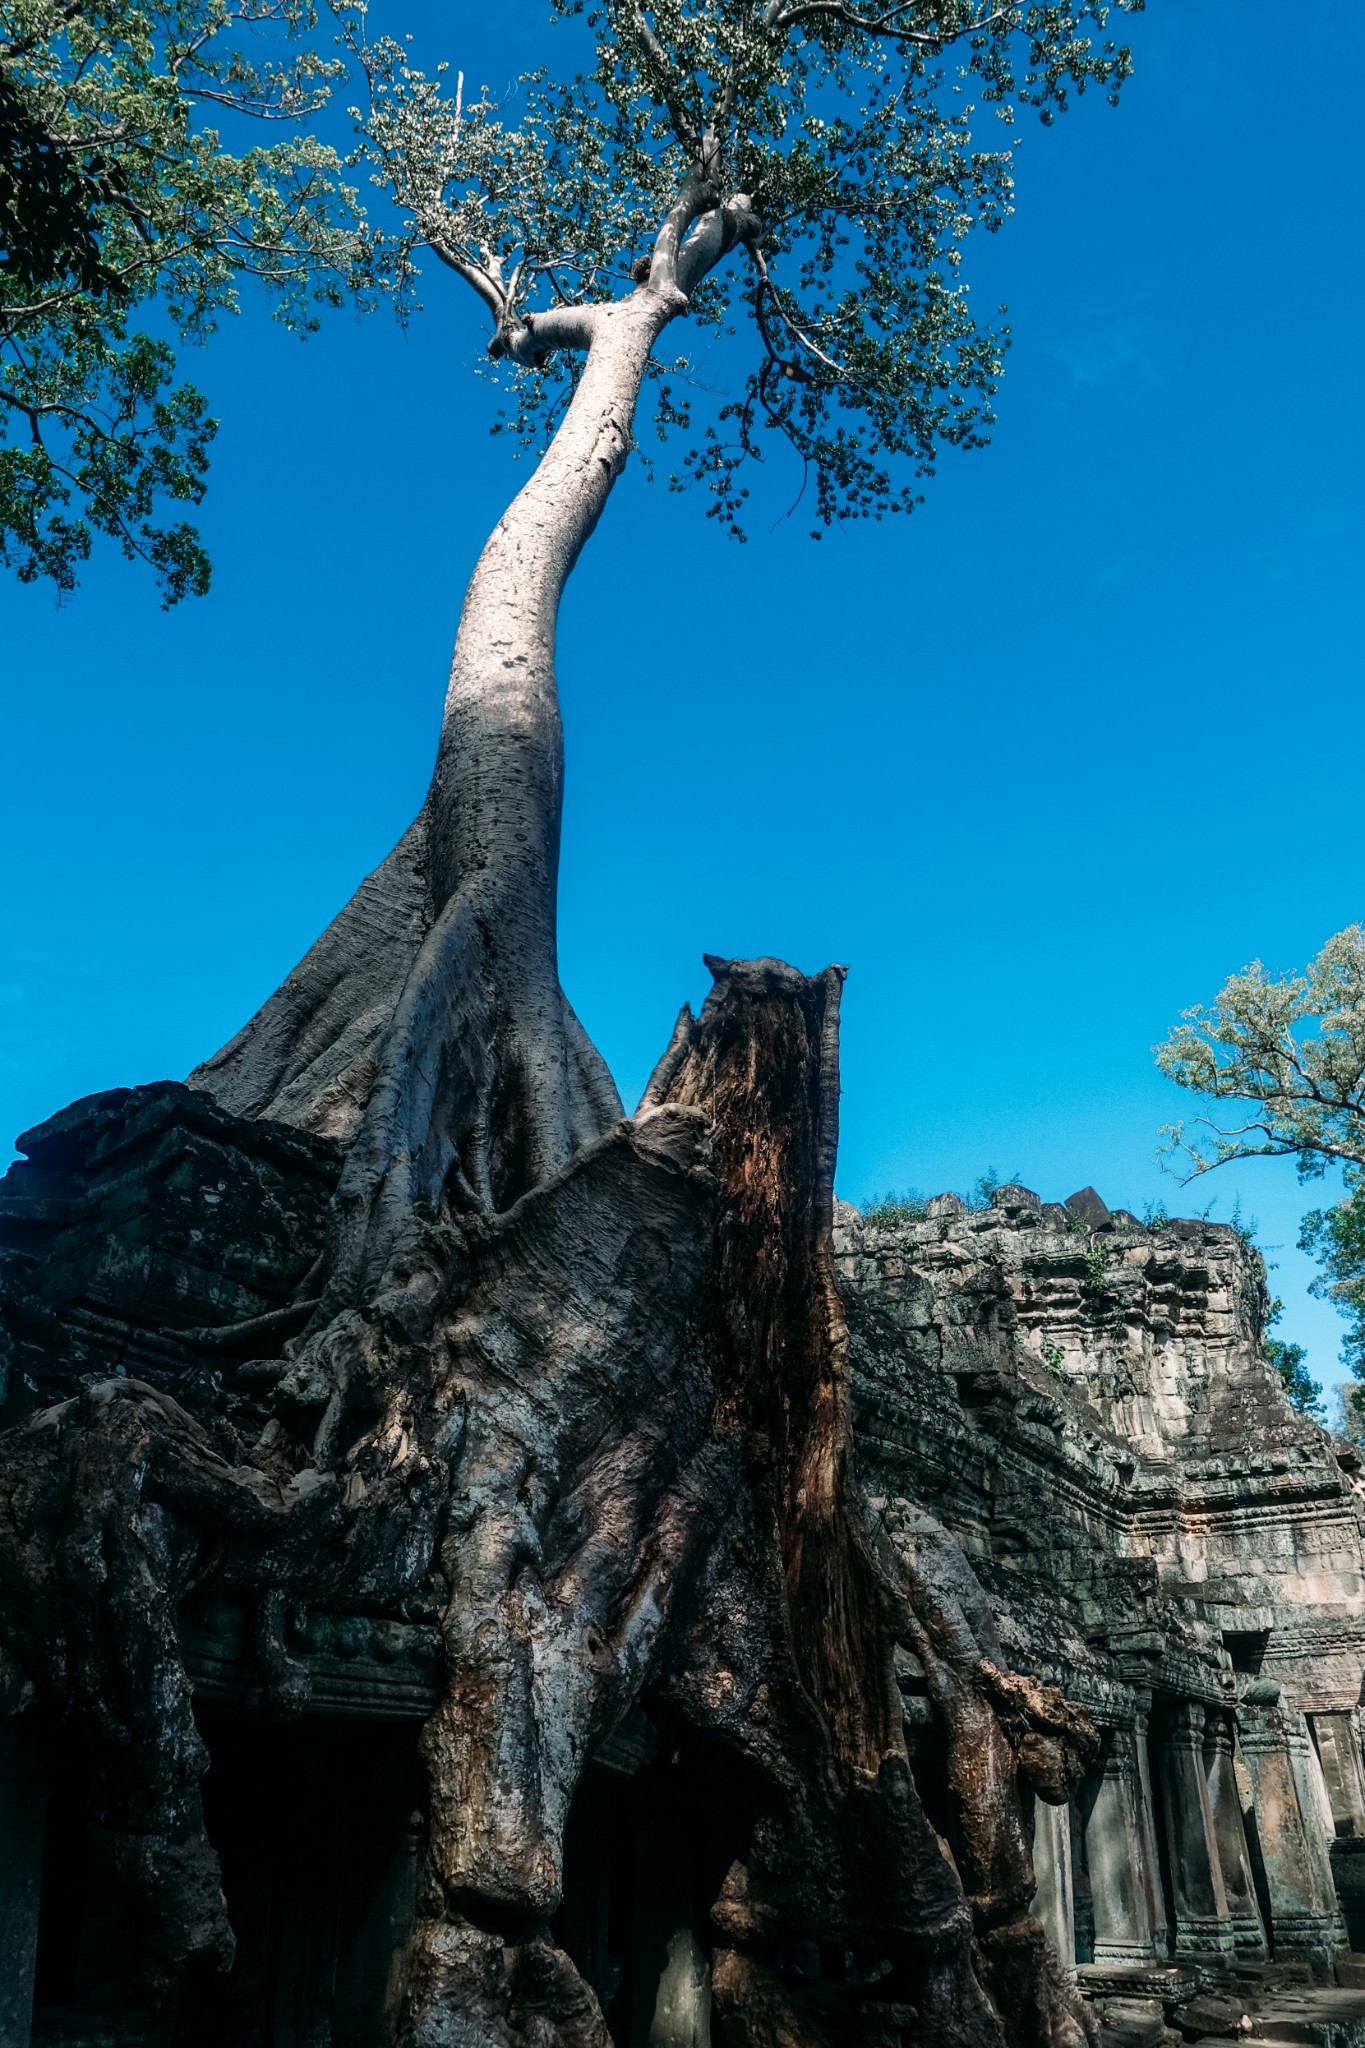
(1075, 1406)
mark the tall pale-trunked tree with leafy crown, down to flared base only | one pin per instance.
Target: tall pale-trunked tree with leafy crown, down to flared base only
(803, 165)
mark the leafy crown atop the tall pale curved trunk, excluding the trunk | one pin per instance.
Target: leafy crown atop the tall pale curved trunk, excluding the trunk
(844, 146)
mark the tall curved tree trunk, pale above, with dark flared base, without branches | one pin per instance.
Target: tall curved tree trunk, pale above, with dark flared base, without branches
(429, 1027)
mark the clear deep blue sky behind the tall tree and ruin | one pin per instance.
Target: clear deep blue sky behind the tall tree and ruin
(1041, 765)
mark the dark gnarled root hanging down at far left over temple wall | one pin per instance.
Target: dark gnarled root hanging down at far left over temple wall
(107, 1512)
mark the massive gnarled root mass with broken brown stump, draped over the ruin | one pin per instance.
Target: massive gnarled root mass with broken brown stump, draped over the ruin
(609, 1426)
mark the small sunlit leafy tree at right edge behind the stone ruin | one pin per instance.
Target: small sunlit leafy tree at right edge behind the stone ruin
(1290, 1052)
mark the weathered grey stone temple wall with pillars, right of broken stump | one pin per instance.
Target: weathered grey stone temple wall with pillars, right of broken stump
(1088, 1408)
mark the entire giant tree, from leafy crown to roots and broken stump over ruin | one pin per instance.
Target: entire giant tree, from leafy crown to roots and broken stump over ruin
(582, 1371)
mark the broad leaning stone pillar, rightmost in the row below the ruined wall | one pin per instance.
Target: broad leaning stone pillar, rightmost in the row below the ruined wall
(1294, 1850)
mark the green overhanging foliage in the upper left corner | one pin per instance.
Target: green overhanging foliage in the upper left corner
(124, 204)
